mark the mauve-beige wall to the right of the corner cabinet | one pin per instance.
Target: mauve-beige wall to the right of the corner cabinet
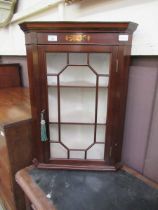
(141, 133)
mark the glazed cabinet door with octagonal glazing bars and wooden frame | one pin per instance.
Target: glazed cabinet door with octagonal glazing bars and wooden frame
(78, 96)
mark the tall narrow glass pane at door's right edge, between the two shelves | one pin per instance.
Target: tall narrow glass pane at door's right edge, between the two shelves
(102, 105)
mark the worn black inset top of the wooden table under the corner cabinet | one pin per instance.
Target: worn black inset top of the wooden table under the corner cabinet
(81, 190)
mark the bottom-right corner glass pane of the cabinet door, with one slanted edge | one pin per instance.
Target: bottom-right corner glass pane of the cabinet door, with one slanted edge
(96, 152)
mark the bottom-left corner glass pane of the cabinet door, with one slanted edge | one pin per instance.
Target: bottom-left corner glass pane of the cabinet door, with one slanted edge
(57, 151)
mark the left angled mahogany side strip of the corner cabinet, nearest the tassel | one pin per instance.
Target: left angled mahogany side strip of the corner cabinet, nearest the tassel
(35, 98)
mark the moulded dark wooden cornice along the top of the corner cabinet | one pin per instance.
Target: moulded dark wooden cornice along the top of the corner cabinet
(128, 27)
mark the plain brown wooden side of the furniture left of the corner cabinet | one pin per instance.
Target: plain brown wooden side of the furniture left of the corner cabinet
(20, 144)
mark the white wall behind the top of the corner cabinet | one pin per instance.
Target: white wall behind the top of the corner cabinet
(143, 12)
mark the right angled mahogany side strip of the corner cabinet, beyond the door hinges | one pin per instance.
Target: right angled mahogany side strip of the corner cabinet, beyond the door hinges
(121, 94)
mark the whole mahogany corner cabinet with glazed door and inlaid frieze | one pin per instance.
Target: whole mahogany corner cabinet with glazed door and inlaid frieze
(78, 75)
